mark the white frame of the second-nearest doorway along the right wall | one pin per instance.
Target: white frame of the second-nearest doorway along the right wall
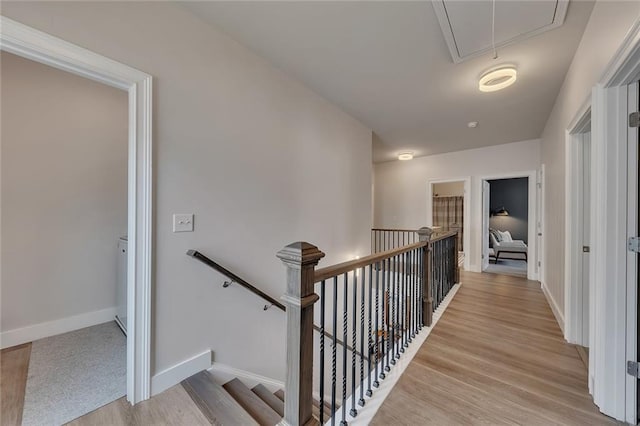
(573, 290)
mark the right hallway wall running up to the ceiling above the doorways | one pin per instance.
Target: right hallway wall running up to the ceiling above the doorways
(607, 27)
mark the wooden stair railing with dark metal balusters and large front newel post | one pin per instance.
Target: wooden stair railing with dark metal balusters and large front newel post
(384, 300)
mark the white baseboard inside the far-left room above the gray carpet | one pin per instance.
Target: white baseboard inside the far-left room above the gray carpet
(51, 328)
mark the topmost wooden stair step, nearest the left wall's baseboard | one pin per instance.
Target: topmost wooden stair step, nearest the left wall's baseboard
(215, 403)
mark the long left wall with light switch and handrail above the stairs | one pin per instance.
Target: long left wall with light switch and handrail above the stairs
(258, 158)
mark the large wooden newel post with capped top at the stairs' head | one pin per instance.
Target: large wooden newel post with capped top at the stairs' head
(301, 259)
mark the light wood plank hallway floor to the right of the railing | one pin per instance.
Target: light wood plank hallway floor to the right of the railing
(496, 356)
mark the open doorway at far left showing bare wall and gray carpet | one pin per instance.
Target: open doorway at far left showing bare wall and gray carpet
(65, 217)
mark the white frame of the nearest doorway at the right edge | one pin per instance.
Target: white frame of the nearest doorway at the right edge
(614, 392)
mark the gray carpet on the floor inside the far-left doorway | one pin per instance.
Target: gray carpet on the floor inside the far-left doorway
(75, 373)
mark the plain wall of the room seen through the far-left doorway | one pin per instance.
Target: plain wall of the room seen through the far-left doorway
(64, 193)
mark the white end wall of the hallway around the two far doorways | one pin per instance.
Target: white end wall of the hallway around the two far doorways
(401, 186)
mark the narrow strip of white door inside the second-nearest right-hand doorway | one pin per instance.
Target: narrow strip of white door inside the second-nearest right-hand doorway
(585, 223)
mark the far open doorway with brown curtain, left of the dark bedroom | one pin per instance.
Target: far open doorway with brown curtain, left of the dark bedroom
(448, 210)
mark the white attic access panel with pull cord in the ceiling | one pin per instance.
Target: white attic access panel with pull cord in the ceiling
(466, 25)
